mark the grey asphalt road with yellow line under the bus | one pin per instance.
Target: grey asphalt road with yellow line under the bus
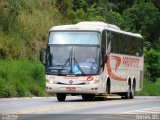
(74, 108)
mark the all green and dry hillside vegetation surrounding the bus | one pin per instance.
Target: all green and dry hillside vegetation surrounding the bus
(24, 26)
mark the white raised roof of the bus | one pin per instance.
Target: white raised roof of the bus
(92, 26)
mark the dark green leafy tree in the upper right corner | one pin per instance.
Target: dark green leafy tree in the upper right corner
(143, 17)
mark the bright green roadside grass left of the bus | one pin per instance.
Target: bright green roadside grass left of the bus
(21, 78)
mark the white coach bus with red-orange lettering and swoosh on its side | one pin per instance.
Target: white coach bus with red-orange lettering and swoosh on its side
(92, 59)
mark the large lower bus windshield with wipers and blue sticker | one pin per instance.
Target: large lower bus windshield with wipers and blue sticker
(72, 60)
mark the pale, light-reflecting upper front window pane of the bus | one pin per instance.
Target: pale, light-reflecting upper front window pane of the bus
(86, 37)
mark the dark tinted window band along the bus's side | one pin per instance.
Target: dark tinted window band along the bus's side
(124, 44)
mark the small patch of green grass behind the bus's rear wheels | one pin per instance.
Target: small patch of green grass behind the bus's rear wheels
(150, 88)
